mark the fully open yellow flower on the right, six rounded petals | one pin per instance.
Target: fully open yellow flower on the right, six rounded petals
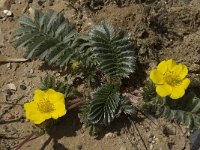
(170, 79)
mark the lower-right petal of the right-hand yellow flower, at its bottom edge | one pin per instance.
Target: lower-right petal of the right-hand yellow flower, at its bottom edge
(177, 92)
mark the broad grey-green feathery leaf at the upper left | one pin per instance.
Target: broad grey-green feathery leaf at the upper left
(47, 36)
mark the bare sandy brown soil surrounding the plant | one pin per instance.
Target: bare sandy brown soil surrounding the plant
(160, 29)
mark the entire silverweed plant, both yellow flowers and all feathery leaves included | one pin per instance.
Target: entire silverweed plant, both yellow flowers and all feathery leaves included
(98, 61)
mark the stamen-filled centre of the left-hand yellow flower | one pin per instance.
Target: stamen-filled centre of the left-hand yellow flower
(45, 106)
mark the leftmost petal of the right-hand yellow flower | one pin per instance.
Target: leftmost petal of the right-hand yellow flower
(156, 77)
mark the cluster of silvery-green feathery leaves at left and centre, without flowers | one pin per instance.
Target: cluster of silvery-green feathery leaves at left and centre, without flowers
(51, 37)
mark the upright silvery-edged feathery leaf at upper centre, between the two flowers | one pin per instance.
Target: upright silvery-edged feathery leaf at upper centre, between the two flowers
(114, 52)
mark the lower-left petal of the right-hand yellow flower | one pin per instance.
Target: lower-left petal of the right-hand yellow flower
(163, 90)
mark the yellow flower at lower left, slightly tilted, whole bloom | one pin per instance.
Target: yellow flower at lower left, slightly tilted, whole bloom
(46, 105)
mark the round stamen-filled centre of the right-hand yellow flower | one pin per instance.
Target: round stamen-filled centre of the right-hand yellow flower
(172, 78)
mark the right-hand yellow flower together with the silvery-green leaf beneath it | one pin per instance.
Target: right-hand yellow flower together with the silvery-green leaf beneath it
(168, 96)
